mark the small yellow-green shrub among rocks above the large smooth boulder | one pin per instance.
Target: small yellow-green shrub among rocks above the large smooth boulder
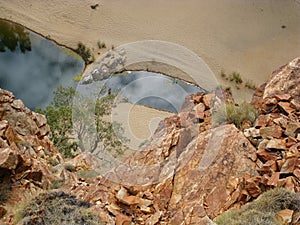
(235, 114)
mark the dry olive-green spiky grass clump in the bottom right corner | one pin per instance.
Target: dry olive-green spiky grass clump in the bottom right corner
(262, 211)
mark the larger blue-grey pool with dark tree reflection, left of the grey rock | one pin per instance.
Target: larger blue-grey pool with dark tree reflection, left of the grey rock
(32, 67)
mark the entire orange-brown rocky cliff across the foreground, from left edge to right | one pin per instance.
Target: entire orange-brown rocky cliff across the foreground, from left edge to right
(203, 169)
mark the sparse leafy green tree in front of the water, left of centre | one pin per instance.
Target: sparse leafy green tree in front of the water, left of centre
(59, 117)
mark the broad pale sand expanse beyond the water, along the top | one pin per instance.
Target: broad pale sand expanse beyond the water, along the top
(243, 36)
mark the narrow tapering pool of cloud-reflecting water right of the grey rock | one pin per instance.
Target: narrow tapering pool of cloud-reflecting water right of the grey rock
(151, 89)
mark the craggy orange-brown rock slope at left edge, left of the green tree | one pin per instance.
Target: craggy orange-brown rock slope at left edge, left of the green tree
(26, 154)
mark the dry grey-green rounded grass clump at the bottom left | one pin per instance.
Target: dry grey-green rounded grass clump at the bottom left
(56, 208)
